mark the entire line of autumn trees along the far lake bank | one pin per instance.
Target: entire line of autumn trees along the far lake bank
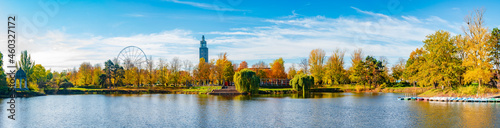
(443, 61)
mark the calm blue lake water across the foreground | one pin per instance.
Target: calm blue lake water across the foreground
(187, 110)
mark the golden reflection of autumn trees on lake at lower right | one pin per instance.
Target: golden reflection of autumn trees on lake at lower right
(453, 114)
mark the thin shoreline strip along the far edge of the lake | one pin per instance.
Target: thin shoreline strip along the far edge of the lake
(417, 91)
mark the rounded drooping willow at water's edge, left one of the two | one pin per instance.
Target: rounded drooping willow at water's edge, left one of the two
(246, 81)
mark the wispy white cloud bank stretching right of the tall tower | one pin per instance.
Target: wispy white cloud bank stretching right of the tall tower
(295, 38)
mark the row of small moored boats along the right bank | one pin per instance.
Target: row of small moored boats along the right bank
(451, 99)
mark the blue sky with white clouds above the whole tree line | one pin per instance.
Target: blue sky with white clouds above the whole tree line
(71, 32)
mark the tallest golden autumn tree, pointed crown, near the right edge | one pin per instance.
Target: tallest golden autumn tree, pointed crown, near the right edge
(477, 59)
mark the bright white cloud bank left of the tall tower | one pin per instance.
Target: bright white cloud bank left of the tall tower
(58, 51)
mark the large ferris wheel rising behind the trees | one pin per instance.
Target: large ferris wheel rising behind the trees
(132, 56)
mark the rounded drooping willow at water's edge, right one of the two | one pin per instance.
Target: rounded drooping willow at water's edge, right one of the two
(302, 81)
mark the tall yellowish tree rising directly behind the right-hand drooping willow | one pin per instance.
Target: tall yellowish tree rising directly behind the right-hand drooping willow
(316, 61)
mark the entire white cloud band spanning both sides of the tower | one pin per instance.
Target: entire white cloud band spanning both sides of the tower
(291, 39)
